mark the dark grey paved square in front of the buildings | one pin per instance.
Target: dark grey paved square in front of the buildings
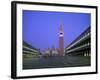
(55, 62)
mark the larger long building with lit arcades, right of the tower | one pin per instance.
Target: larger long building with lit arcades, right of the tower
(81, 45)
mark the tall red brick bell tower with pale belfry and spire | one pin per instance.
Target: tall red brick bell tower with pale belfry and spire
(61, 41)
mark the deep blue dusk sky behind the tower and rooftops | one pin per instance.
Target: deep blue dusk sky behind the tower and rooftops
(41, 28)
